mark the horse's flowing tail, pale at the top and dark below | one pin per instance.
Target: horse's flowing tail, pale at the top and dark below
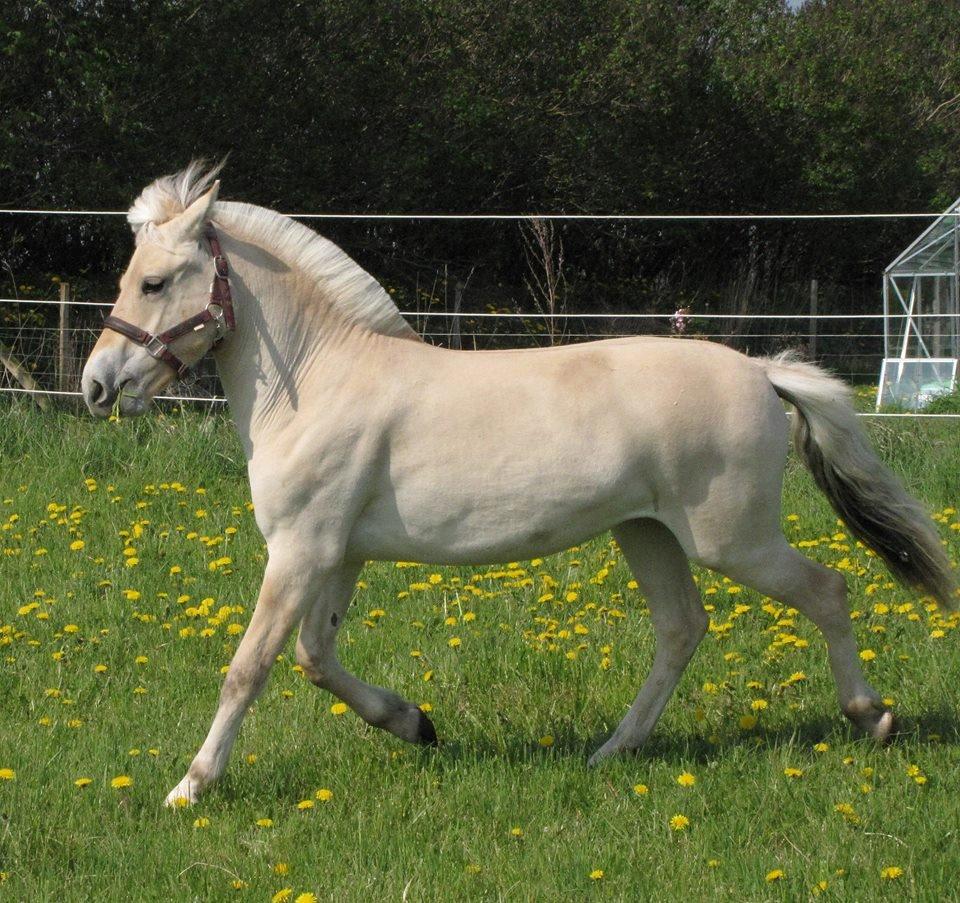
(871, 501)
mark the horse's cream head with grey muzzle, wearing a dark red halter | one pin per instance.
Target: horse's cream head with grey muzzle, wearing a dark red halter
(167, 282)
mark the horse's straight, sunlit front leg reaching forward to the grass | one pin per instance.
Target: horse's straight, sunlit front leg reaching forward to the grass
(287, 590)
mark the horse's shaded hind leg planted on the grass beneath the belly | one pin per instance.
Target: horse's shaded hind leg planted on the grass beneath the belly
(679, 622)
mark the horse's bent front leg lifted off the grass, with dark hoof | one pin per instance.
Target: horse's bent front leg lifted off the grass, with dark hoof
(317, 655)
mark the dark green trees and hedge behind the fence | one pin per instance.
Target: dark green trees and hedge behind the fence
(573, 106)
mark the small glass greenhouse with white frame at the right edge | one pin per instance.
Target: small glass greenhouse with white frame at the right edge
(920, 307)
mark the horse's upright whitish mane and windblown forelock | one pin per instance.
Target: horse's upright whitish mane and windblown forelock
(352, 290)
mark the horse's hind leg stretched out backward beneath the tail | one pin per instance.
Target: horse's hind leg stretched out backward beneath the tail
(779, 571)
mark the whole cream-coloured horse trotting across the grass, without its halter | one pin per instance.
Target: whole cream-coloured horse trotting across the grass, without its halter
(365, 443)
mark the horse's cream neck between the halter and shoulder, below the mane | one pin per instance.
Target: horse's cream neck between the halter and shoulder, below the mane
(285, 334)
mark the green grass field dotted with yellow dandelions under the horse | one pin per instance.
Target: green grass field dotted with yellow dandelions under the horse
(130, 563)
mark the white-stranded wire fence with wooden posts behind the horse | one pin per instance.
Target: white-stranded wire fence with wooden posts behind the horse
(44, 341)
